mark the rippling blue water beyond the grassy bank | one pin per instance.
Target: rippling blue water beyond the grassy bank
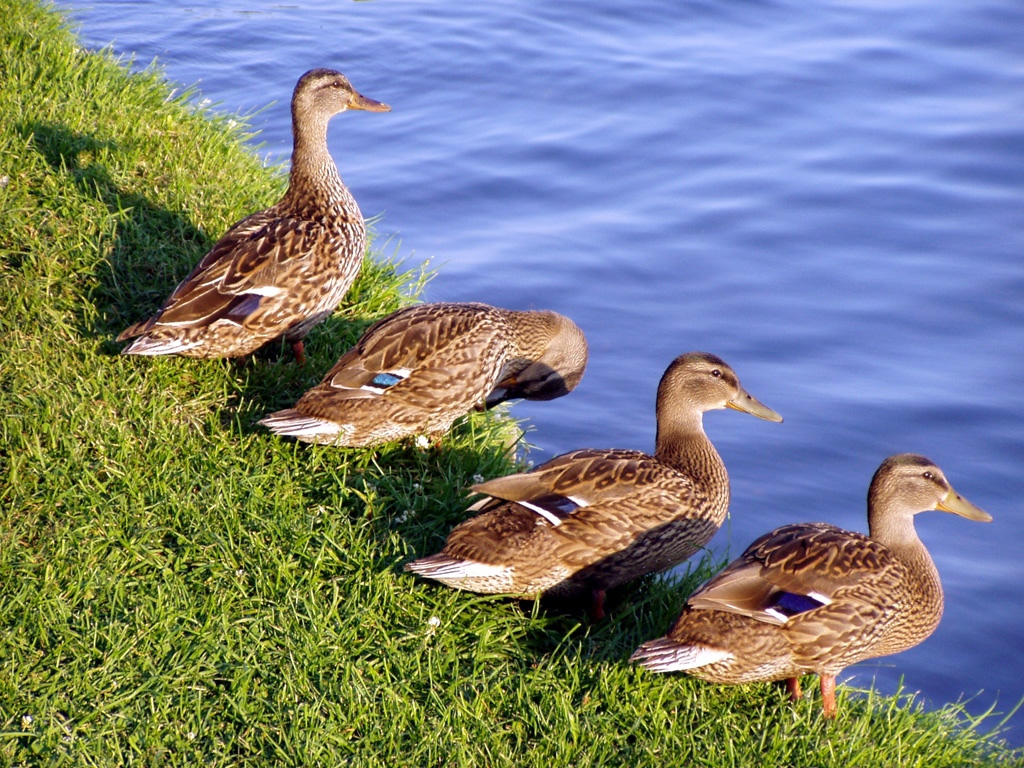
(828, 195)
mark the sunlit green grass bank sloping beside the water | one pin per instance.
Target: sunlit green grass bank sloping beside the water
(180, 587)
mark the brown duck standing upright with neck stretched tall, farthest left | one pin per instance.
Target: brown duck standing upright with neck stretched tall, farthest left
(280, 272)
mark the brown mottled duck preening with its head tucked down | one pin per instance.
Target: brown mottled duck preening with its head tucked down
(418, 370)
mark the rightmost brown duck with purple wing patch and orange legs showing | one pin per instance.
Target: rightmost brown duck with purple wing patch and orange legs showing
(812, 598)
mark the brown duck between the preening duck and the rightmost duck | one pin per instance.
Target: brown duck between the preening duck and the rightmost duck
(589, 521)
